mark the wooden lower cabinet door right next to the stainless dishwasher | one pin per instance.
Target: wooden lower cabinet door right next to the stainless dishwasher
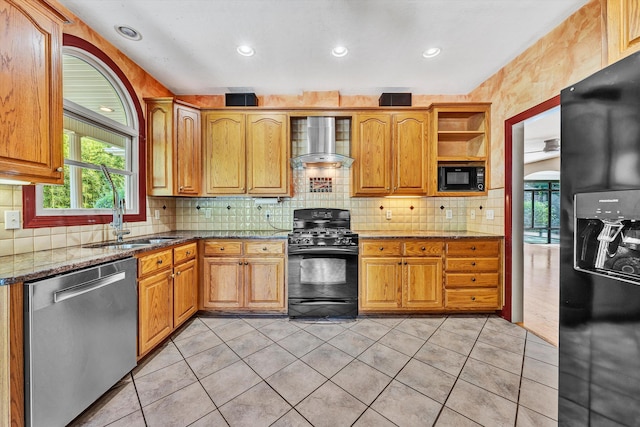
(155, 306)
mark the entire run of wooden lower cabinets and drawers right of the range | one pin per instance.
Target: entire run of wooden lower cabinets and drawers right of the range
(450, 275)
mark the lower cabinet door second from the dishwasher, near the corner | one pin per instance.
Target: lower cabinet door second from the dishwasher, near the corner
(185, 292)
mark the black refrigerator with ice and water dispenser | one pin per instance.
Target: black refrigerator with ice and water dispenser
(599, 345)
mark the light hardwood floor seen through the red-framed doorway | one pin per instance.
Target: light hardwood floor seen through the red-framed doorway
(541, 290)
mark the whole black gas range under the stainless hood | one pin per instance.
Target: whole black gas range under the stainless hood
(323, 264)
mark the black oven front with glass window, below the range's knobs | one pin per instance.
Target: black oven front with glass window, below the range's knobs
(323, 282)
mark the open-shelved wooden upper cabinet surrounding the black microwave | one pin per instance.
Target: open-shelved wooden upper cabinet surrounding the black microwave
(460, 138)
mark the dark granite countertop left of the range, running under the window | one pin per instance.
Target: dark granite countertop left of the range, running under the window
(41, 264)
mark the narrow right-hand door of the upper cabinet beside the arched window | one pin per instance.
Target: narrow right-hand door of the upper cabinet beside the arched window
(187, 150)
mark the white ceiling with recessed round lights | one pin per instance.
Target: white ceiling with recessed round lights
(190, 45)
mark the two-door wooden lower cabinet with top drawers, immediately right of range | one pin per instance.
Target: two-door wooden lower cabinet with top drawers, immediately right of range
(400, 275)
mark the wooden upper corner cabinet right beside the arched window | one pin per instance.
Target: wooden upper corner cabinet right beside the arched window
(173, 148)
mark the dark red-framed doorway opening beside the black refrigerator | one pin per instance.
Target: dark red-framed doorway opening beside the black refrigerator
(532, 165)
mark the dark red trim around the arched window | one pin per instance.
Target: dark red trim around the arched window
(30, 220)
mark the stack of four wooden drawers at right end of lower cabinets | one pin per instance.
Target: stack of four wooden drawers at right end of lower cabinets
(473, 274)
